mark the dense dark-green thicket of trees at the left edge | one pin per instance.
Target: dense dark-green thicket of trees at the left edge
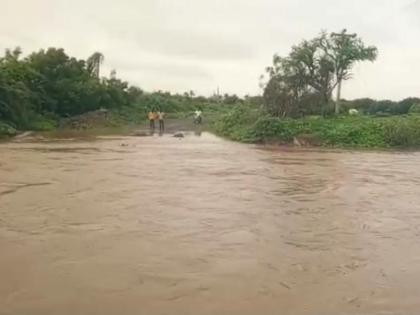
(52, 84)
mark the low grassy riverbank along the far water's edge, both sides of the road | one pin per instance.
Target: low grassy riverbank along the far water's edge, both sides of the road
(246, 124)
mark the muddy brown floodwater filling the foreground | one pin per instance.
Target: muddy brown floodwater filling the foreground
(205, 226)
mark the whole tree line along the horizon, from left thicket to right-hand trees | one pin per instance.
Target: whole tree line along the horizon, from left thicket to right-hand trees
(50, 85)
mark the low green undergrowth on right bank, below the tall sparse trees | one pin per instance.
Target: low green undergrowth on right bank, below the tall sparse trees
(249, 125)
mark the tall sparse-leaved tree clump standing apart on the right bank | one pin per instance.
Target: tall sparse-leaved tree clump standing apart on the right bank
(303, 82)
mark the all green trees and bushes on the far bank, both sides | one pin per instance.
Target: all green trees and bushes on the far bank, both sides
(49, 89)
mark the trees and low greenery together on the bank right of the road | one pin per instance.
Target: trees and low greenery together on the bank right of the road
(298, 107)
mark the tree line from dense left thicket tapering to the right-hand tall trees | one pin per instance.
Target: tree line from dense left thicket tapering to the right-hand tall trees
(49, 85)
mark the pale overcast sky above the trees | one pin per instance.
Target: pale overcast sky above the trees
(200, 45)
